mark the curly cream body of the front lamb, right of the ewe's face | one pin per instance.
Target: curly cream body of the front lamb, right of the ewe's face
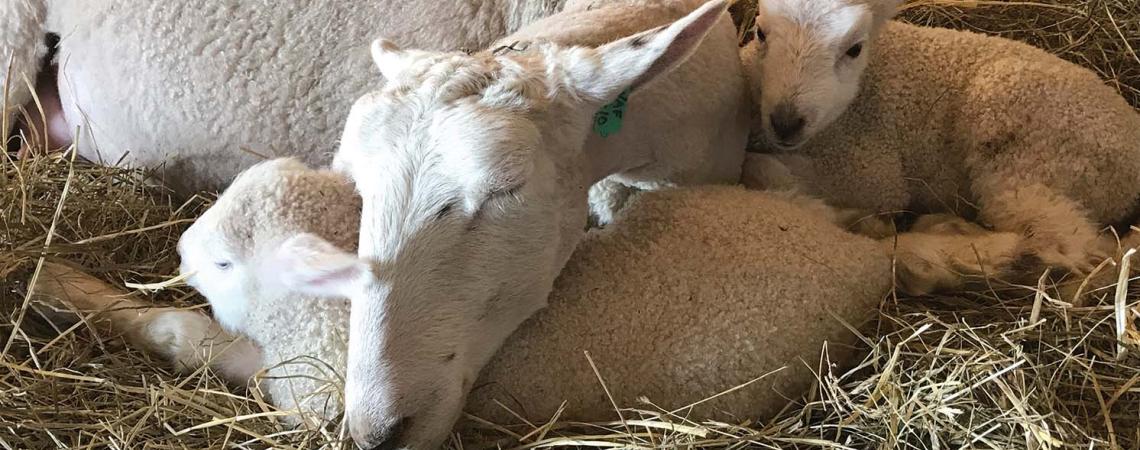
(690, 293)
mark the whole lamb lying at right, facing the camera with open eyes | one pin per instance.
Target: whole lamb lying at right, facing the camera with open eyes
(885, 117)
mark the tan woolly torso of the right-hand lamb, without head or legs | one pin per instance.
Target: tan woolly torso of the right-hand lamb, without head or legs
(949, 116)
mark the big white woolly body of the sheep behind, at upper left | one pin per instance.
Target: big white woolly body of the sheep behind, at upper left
(198, 91)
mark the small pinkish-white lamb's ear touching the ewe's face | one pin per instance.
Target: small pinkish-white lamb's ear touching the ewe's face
(311, 265)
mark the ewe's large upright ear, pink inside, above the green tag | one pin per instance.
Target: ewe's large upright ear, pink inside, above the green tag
(633, 62)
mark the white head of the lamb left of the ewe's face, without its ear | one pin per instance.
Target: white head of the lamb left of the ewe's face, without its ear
(223, 251)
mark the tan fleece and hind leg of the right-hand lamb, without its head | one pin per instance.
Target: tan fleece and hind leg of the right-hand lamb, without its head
(984, 128)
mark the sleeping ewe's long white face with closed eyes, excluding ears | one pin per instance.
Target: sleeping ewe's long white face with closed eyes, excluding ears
(465, 220)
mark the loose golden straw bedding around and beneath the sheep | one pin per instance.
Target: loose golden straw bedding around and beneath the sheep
(1004, 369)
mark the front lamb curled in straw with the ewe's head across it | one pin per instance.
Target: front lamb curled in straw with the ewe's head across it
(663, 315)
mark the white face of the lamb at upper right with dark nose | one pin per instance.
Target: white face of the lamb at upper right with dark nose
(812, 55)
